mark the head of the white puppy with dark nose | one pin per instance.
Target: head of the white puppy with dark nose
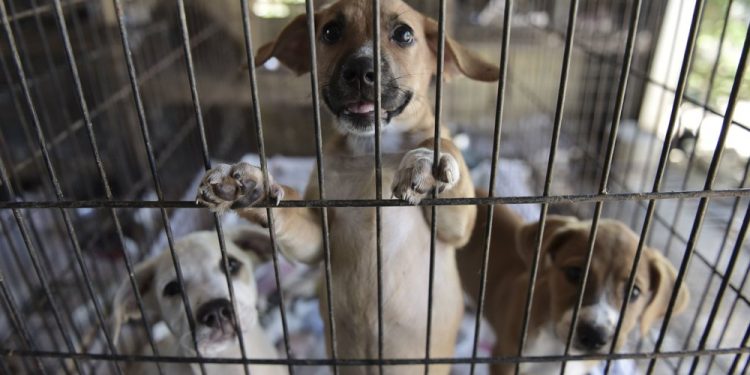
(204, 284)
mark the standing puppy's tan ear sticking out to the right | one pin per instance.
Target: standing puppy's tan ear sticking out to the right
(459, 59)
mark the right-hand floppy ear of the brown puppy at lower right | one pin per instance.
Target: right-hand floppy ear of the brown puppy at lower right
(662, 276)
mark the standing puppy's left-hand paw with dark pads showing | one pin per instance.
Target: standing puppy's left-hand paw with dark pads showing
(236, 186)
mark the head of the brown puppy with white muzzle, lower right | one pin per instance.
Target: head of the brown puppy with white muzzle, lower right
(565, 247)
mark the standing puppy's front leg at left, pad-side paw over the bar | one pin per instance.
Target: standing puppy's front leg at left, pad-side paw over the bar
(240, 187)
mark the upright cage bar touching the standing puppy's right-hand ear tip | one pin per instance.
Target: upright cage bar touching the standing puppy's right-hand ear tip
(499, 108)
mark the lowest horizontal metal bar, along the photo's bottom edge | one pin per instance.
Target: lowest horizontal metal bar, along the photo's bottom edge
(375, 362)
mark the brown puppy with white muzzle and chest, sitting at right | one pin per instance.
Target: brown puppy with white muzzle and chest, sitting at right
(563, 257)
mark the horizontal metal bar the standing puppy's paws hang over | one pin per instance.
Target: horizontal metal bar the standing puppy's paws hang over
(552, 199)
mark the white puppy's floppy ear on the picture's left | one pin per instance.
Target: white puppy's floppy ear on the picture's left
(125, 306)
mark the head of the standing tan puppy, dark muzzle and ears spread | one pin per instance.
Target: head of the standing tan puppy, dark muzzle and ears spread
(344, 37)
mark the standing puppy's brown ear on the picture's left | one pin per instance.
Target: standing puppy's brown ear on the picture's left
(291, 47)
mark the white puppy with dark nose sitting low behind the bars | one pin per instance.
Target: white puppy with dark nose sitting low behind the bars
(205, 285)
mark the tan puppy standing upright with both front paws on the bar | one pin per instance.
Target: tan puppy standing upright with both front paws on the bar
(345, 67)
